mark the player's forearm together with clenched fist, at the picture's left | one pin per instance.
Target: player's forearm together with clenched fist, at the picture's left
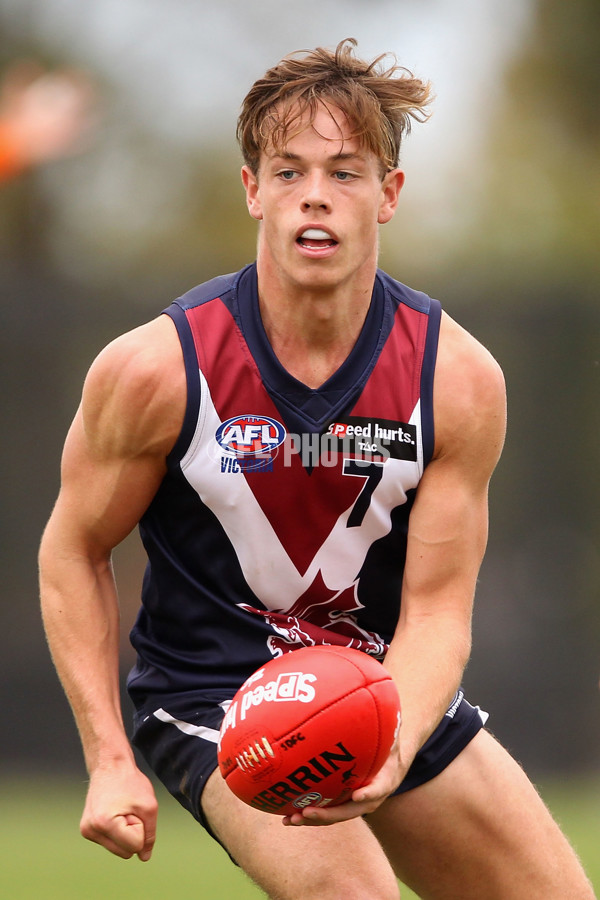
(81, 618)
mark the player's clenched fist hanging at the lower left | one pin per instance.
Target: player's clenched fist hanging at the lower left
(120, 812)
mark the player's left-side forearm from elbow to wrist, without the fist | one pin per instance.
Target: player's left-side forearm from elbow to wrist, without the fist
(81, 619)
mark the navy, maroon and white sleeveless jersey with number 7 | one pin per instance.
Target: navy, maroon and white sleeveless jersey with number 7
(282, 519)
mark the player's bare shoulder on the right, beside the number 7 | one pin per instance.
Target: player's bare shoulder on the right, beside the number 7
(469, 397)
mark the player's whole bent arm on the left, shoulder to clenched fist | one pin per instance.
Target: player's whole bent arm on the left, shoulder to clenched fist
(113, 462)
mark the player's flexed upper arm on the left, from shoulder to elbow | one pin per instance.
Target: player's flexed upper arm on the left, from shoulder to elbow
(115, 453)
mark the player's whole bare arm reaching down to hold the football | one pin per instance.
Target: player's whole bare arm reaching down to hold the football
(446, 542)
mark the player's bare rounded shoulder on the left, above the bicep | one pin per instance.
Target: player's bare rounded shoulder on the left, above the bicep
(134, 395)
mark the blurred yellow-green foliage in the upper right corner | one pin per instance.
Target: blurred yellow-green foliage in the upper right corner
(542, 204)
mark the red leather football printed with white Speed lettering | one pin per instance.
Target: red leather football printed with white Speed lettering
(308, 729)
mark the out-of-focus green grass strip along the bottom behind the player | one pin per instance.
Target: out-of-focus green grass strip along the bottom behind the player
(44, 858)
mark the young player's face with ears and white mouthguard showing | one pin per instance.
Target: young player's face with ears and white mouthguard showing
(320, 202)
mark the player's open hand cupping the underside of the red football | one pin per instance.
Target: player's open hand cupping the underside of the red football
(364, 800)
